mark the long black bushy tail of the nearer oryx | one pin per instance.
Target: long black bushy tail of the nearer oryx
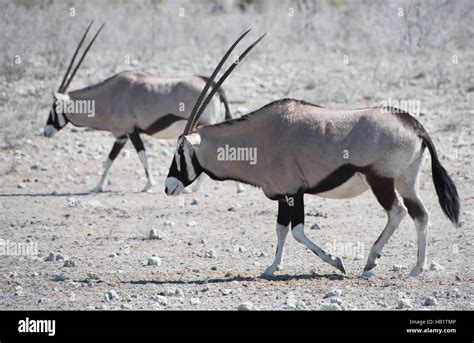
(444, 185)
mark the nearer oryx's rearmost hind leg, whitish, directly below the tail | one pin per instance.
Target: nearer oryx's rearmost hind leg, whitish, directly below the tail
(407, 185)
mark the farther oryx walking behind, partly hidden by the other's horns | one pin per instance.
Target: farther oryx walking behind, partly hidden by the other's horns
(131, 103)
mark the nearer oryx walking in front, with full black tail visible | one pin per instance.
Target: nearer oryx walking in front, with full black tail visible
(303, 148)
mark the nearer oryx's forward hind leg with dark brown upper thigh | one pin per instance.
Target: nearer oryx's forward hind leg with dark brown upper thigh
(384, 190)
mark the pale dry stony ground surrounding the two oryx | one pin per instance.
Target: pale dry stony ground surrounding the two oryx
(215, 243)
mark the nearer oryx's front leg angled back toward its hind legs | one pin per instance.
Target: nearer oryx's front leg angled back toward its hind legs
(296, 205)
